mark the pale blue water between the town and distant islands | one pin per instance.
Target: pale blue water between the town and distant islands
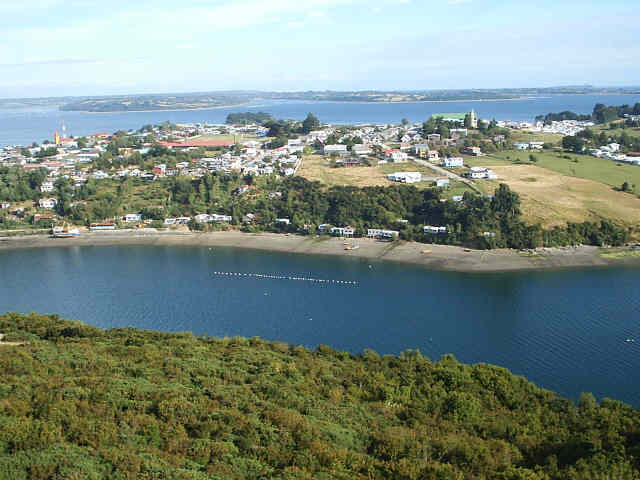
(24, 126)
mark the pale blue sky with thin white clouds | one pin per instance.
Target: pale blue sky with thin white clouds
(87, 47)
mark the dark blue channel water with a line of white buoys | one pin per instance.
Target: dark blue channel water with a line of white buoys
(564, 330)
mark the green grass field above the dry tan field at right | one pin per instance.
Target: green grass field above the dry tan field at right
(587, 167)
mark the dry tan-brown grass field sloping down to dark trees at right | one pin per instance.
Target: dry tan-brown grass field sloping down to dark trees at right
(553, 199)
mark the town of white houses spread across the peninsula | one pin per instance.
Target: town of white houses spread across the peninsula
(446, 153)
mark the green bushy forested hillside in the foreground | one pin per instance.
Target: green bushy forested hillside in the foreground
(77, 402)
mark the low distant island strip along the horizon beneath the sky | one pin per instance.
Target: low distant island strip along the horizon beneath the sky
(204, 100)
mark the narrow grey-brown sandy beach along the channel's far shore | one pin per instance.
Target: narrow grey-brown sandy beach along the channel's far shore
(439, 257)
